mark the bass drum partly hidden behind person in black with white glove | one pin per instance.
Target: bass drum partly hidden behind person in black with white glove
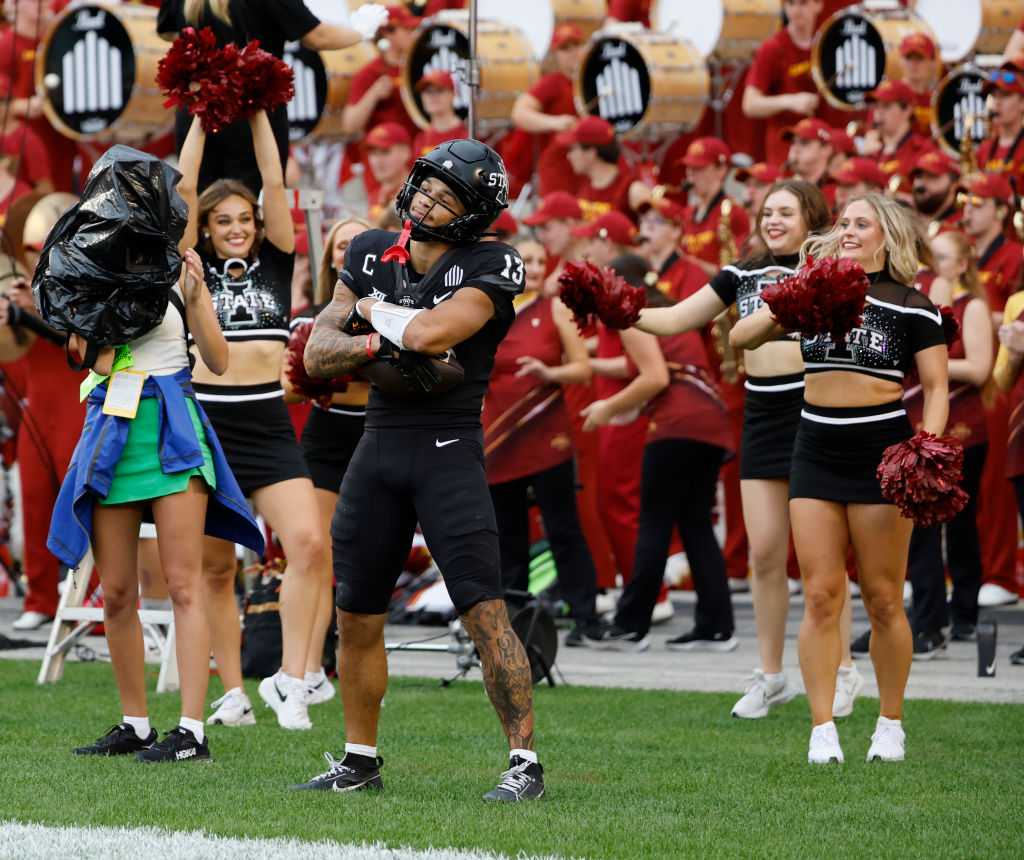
(322, 84)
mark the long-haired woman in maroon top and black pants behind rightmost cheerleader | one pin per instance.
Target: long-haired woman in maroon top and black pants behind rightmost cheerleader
(970, 366)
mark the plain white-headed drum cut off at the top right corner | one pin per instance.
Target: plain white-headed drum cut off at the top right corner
(968, 27)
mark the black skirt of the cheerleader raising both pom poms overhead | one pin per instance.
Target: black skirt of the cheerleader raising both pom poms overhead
(255, 431)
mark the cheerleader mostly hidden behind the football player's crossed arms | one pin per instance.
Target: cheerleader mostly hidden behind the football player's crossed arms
(329, 439)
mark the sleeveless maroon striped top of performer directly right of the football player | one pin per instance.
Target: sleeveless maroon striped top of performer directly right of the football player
(526, 424)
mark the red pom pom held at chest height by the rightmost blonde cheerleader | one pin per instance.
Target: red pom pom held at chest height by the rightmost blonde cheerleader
(826, 297)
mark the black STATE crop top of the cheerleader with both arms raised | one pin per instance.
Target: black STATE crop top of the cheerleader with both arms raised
(252, 299)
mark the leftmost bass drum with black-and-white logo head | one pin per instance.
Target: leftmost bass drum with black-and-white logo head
(97, 71)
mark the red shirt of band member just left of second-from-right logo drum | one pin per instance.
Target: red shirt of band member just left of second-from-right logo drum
(782, 68)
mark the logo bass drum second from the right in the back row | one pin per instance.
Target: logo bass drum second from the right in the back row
(857, 48)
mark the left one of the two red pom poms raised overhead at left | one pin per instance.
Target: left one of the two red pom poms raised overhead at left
(195, 74)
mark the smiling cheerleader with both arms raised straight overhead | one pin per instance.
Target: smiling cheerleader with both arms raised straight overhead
(248, 256)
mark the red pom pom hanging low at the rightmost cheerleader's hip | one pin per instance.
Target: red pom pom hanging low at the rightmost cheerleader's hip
(922, 478)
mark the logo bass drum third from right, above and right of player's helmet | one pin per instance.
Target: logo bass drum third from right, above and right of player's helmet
(646, 84)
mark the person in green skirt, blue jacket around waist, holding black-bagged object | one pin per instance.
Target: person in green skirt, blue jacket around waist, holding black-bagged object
(153, 455)
